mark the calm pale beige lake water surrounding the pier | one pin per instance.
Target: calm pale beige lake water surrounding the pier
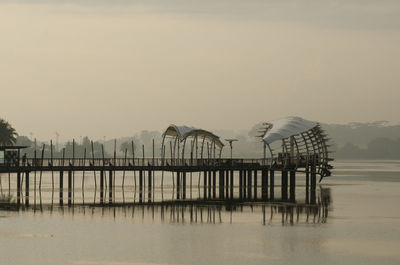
(362, 227)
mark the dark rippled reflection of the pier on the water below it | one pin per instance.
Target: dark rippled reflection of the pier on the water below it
(202, 211)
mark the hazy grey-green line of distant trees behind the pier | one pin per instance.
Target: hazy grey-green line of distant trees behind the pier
(376, 140)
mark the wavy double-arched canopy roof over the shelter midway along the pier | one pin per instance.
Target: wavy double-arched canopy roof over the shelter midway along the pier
(185, 131)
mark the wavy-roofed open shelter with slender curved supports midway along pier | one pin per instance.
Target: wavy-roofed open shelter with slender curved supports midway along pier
(181, 134)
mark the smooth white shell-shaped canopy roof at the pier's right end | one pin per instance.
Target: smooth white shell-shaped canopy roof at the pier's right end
(286, 127)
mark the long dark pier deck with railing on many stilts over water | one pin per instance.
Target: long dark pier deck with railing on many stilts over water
(219, 179)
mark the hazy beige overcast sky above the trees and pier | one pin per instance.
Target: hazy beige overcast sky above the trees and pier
(112, 68)
